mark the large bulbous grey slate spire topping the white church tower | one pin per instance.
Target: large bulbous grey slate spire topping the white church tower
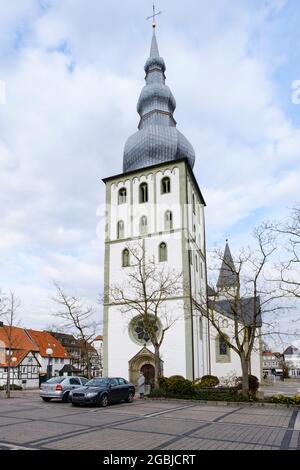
(157, 140)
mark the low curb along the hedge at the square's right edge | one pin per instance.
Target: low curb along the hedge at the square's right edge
(225, 403)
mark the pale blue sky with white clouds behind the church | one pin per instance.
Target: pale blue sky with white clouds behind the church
(70, 75)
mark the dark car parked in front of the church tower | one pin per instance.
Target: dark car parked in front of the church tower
(102, 391)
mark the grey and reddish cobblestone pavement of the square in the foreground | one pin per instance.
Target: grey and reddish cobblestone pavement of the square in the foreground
(28, 423)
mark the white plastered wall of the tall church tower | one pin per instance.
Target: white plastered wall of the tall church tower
(184, 223)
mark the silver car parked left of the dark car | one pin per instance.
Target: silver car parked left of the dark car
(60, 387)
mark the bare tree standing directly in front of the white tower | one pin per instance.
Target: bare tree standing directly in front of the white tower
(144, 294)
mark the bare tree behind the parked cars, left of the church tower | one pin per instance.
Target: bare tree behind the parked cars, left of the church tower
(78, 319)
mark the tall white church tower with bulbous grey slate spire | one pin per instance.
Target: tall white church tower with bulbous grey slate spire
(156, 199)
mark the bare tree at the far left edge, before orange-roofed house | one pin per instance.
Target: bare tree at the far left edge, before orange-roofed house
(9, 315)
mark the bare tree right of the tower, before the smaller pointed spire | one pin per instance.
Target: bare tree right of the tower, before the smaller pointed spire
(246, 302)
